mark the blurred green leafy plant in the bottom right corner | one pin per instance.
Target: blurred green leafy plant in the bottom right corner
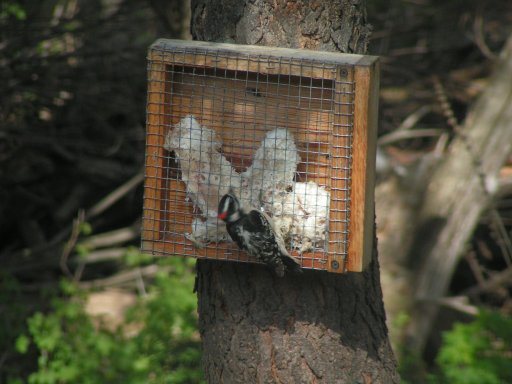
(478, 352)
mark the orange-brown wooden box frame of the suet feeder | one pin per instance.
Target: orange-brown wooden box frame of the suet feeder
(348, 82)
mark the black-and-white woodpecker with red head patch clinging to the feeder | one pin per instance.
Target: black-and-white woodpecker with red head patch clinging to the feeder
(254, 232)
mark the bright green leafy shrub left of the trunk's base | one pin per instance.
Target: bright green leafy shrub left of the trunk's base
(165, 349)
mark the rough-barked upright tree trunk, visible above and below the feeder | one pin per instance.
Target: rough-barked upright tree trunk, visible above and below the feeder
(316, 327)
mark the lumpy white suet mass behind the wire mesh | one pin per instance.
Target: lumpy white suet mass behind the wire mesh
(299, 211)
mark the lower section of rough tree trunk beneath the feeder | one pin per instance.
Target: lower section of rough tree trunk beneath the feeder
(315, 328)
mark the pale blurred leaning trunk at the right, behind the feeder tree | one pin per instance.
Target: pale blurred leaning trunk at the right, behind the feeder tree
(459, 191)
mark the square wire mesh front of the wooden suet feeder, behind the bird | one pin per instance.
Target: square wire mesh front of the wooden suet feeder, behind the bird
(275, 130)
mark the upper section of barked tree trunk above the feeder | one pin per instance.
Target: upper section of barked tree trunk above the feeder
(321, 24)
